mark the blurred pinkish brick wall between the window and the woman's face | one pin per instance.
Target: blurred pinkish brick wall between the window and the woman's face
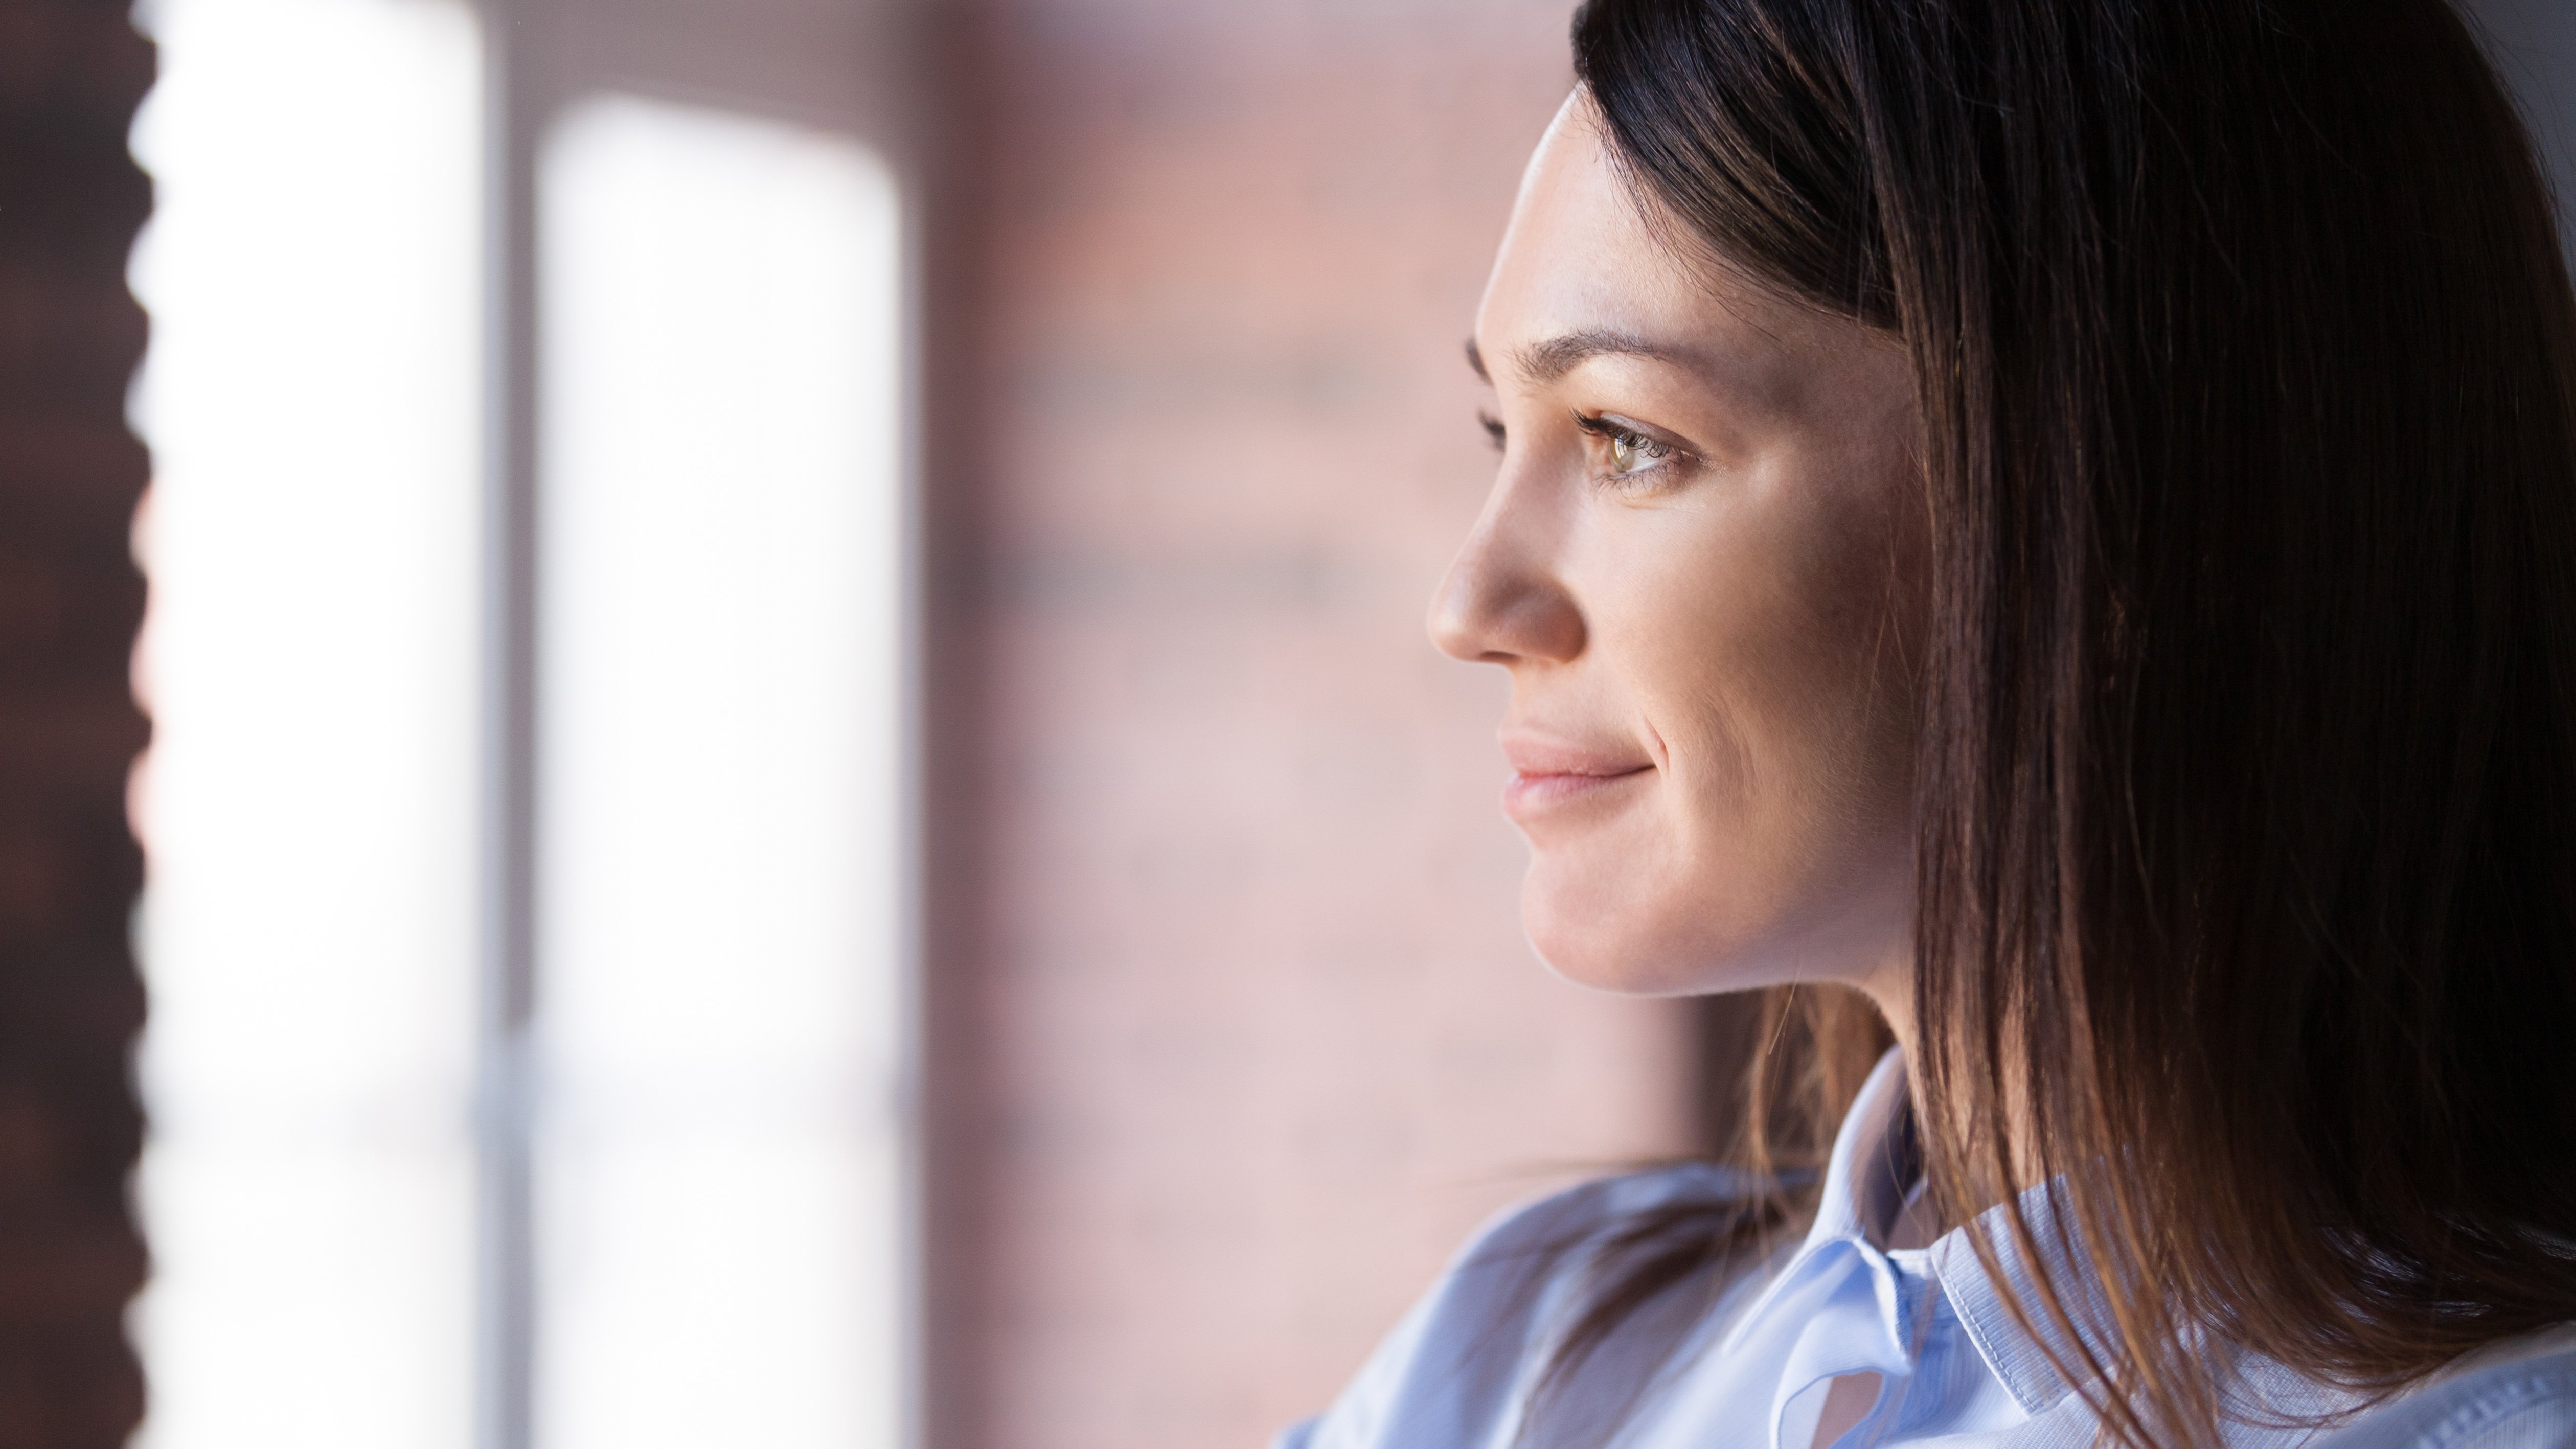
(1235, 1033)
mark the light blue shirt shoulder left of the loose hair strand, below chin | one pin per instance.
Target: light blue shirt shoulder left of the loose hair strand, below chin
(1454, 1371)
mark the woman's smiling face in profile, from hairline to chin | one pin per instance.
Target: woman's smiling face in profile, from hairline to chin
(1701, 565)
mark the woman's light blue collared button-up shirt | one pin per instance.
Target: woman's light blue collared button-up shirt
(1745, 1355)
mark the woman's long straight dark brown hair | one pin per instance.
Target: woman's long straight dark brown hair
(2248, 779)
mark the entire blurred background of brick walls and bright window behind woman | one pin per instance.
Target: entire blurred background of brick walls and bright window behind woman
(715, 722)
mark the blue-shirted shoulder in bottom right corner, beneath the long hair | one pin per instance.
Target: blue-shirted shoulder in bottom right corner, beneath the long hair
(2510, 1396)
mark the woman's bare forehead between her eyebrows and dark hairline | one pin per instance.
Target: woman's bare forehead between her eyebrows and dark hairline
(1583, 261)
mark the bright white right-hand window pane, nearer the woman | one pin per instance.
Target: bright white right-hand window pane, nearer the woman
(720, 941)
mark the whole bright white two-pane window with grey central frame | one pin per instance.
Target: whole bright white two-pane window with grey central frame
(668, 1203)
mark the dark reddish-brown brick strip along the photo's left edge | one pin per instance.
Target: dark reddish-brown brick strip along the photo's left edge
(71, 598)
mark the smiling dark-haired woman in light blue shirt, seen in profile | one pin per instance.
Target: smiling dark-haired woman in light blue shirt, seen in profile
(2044, 537)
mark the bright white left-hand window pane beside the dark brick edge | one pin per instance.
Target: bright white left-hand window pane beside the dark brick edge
(310, 799)
